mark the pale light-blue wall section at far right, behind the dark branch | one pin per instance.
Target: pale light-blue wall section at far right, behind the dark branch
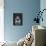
(43, 6)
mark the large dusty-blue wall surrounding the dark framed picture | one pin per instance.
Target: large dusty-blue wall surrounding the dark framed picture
(28, 8)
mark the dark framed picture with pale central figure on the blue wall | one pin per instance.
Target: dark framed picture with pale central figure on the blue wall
(17, 19)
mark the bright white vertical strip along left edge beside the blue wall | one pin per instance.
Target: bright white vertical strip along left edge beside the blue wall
(1, 20)
